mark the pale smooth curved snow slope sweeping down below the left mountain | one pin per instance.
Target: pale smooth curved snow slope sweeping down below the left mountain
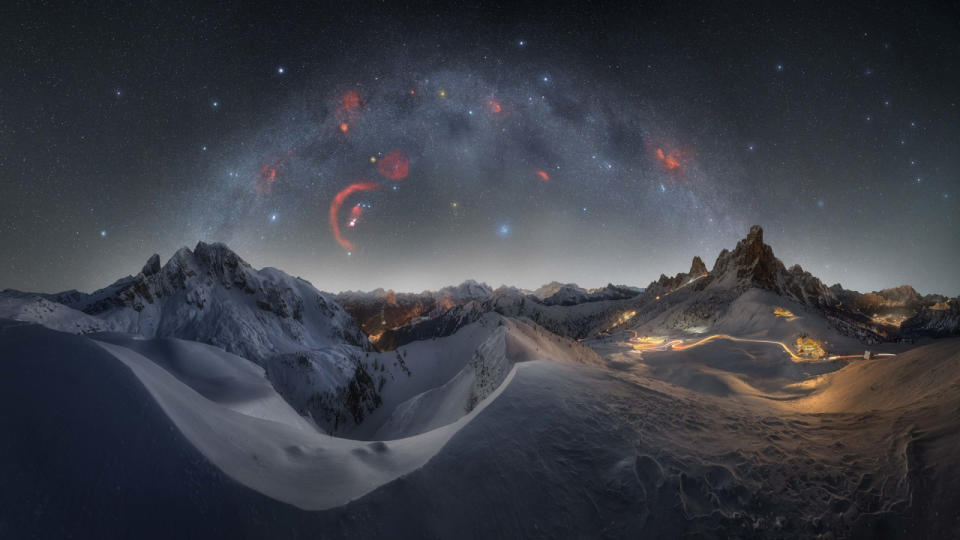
(237, 422)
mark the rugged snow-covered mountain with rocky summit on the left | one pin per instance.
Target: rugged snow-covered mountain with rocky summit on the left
(213, 296)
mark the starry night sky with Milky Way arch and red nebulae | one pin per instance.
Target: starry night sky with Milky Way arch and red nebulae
(580, 143)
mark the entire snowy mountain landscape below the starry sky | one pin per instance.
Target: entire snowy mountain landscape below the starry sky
(204, 398)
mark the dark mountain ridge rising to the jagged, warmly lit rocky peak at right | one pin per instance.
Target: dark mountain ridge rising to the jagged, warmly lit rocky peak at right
(698, 300)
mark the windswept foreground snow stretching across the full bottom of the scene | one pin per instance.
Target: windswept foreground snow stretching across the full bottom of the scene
(158, 438)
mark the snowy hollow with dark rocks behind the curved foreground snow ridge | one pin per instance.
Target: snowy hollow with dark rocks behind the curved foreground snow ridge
(417, 387)
